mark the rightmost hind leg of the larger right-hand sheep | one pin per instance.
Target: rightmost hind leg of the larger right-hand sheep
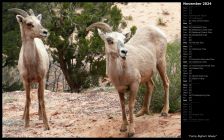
(162, 71)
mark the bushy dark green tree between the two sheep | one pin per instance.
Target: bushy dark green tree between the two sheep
(82, 62)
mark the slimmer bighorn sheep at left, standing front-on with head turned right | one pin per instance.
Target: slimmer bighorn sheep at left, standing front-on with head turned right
(33, 61)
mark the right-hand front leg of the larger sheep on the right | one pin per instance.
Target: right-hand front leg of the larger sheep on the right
(133, 92)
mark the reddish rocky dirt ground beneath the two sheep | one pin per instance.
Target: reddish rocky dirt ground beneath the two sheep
(93, 114)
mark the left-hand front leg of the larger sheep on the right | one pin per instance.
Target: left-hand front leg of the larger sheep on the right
(124, 117)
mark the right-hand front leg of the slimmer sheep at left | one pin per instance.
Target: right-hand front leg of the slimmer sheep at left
(42, 105)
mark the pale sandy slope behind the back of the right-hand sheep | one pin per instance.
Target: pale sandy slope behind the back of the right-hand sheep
(148, 13)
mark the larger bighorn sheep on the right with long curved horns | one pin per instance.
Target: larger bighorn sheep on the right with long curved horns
(133, 63)
